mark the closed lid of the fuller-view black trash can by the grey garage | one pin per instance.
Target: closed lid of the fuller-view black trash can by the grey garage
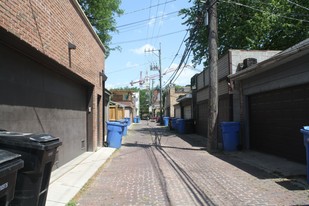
(29, 140)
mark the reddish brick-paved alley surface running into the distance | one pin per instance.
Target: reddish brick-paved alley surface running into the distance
(156, 167)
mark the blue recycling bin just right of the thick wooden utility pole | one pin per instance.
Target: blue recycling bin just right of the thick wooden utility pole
(230, 135)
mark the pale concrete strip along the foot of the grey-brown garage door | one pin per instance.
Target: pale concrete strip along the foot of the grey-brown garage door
(68, 180)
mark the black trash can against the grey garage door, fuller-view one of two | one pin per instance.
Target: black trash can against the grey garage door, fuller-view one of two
(38, 151)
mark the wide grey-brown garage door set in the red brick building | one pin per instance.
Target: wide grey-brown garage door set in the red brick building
(36, 99)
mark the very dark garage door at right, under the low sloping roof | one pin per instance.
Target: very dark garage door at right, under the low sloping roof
(275, 120)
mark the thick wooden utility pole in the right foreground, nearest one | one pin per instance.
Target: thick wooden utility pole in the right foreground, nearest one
(213, 76)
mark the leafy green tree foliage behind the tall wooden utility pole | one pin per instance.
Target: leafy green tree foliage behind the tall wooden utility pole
(248, 24)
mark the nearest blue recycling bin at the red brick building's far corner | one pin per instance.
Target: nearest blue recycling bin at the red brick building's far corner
(114, 134)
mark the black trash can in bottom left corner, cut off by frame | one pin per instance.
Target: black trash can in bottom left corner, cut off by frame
(9, 164)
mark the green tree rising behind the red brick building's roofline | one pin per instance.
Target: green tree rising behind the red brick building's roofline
(101, 14)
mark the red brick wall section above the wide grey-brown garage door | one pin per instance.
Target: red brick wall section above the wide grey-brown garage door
(49, 26)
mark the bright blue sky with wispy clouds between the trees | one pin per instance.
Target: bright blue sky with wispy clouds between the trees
(145, 25)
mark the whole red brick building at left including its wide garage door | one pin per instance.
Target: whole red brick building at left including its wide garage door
(51, 74)
